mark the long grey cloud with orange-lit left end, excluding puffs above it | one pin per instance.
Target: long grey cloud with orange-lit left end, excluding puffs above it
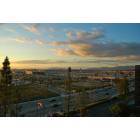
(101, 49)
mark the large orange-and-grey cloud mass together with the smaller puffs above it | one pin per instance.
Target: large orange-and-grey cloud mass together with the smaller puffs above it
(87, 44)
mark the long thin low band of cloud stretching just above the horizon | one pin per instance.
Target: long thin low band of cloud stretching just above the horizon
(61, 63)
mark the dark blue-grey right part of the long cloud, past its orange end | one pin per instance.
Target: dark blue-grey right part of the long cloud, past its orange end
(113, 49)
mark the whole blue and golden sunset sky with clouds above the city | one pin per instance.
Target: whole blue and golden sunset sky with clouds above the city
(60, 45)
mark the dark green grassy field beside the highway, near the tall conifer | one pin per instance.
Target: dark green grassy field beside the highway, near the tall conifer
(25, 93)
